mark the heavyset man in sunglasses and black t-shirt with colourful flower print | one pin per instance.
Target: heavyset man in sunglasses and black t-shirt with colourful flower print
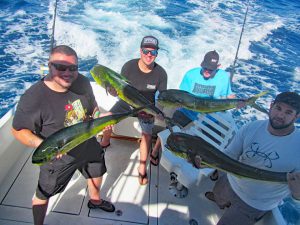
(62, 98)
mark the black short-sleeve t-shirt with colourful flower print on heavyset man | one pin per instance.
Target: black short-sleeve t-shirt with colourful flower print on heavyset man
(44, 111)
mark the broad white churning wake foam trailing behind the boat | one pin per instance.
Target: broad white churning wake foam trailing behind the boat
(111, 32)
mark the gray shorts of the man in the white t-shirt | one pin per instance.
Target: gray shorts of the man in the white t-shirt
(239, 212)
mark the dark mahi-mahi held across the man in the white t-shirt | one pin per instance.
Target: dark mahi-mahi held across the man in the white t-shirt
(187, 146)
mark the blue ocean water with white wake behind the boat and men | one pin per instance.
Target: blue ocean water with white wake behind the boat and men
(109, 32)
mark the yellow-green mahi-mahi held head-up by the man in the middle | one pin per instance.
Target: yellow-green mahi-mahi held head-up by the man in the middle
(106, 77)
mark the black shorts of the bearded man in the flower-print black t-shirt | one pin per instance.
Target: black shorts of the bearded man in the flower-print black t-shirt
(55, 175)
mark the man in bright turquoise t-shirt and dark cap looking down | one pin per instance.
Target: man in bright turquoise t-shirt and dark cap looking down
(206, 81)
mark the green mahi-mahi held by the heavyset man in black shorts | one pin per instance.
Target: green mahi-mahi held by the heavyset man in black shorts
(65, 139)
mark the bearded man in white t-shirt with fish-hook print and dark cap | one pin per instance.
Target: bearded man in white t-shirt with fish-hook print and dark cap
(267, 144)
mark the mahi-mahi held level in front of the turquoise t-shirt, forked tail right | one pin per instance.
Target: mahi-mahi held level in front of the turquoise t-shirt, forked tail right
(184, 99)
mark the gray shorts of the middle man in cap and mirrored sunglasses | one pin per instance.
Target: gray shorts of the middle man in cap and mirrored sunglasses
(146, 123)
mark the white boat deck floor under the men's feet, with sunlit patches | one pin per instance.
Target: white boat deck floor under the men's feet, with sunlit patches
(135, 204)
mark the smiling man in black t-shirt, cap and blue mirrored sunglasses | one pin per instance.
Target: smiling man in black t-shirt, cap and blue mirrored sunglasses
(148, 77)
